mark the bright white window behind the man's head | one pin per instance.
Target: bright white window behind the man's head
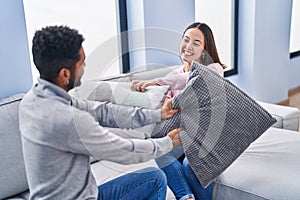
(96, 20)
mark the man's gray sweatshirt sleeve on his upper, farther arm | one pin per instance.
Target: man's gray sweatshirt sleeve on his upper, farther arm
(118, 116)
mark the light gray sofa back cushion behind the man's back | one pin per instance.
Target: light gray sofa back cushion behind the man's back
(12, 168)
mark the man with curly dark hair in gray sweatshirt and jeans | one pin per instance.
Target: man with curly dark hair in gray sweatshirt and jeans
(60, 132)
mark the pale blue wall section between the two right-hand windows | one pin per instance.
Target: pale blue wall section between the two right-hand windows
(265, 69)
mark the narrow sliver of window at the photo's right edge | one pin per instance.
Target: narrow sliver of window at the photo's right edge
(295, 30)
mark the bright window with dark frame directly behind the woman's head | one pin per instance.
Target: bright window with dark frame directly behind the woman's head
(222, 18)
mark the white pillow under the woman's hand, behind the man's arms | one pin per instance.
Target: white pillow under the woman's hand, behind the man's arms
(120, 93)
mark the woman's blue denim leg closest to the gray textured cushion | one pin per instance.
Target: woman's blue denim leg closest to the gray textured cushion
(198, 190)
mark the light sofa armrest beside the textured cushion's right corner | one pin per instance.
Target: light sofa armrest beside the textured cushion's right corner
(287, 117)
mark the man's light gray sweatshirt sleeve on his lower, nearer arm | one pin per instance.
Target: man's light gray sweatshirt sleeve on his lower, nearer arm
(91, 139)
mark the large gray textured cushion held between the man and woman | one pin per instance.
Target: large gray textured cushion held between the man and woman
(221, 121)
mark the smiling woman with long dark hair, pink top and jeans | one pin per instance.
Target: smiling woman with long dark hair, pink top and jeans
(198, 45)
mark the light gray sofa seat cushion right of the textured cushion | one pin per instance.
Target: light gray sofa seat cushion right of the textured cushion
(268, 169)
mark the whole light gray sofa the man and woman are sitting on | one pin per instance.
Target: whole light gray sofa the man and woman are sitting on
(268, 169)
